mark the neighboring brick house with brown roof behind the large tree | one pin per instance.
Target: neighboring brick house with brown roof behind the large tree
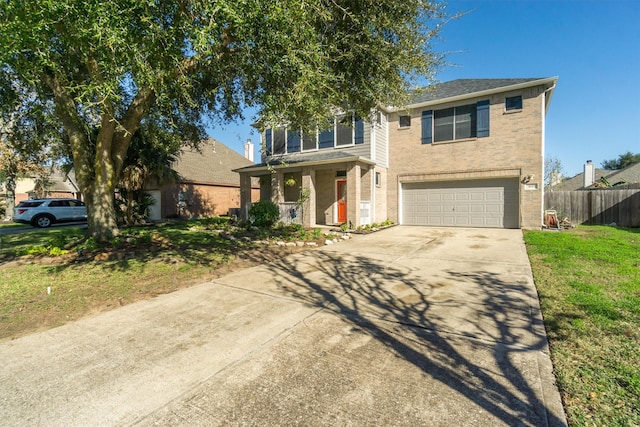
(207, 185)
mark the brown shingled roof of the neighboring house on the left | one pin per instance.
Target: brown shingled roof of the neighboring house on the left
(212, 164)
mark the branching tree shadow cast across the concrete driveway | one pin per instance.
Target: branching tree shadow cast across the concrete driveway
(471, 332)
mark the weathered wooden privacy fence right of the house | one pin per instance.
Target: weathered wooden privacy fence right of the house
(597, 207)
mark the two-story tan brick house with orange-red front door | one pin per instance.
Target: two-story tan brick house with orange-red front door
(464, 153)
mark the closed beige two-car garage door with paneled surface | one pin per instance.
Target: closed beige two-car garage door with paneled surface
(477, 203)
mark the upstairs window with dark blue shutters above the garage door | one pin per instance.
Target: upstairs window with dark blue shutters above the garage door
(450, 124)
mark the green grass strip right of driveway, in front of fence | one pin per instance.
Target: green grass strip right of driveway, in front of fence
(588, 280)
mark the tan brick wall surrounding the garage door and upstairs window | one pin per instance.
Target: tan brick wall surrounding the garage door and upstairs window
(513, 149)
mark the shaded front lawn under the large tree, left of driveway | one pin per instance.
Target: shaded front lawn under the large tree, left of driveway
(48, 279)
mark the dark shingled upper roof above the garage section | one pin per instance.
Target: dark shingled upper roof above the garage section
(469, 88)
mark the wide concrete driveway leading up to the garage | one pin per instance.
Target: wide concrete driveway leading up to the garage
(408, 326)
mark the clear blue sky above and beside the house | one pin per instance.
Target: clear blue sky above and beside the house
(593, 46)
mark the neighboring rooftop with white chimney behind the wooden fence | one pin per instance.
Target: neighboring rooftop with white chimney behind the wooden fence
(591, 176)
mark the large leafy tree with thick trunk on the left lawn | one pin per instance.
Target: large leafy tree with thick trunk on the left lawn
(105, 65)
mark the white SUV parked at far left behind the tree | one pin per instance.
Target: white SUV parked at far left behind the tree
(44, 212)
